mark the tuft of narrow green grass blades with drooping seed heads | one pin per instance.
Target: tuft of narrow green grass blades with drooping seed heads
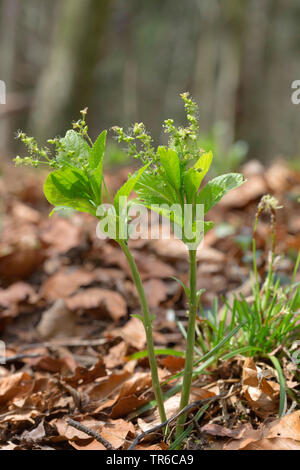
(269, 317)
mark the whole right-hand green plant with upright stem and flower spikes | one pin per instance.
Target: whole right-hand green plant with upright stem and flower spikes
(171, 184)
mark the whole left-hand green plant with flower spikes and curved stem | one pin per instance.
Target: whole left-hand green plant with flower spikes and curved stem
(76, 182)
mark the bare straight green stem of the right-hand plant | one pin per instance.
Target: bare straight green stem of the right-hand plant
(189, 359)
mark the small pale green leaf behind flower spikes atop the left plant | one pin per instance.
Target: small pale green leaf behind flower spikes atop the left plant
(74, 146)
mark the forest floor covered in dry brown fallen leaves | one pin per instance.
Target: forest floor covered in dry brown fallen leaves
(65, 303)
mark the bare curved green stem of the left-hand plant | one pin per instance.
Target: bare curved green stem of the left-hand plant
(148, 329)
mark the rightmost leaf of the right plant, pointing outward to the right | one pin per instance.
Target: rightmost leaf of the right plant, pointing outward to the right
(216, 189)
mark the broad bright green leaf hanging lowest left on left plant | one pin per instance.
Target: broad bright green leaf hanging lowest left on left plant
(69, 187)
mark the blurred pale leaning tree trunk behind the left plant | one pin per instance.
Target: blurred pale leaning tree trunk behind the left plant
(66, 82)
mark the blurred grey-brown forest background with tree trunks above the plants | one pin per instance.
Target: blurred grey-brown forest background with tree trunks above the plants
(129, 60)
